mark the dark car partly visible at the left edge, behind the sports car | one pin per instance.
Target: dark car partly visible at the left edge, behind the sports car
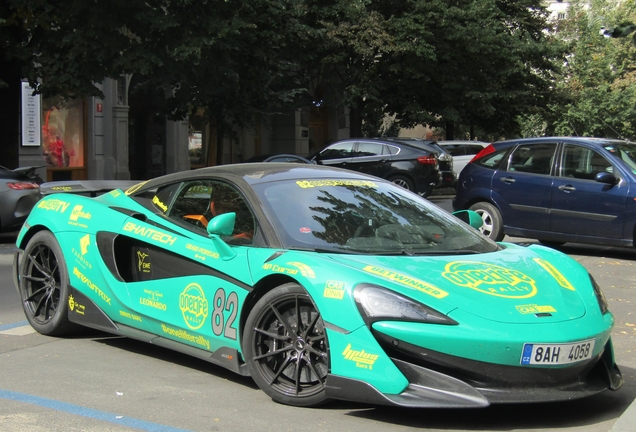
(19, 191)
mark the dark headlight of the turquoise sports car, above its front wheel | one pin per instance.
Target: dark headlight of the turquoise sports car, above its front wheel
(380, 304)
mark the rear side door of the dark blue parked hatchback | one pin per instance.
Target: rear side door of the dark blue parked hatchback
(522, 190)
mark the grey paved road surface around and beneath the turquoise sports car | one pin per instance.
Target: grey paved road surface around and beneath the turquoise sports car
(102, 383)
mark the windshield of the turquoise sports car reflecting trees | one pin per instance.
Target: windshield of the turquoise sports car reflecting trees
(359, 216)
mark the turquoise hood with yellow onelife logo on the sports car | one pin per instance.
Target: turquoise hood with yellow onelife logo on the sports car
(514, 285)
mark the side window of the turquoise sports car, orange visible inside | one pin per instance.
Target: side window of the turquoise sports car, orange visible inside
(199, 201)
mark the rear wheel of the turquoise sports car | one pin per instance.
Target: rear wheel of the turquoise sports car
(43, 286)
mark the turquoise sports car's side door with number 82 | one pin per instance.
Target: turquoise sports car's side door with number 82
(182, 285)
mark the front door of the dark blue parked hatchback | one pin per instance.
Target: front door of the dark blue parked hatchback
(580, 204)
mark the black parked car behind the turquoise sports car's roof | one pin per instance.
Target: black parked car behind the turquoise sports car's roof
(407, 165)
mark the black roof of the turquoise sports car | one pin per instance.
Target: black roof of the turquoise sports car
(257, 172)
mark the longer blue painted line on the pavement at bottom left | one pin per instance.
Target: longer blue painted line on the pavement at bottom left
(87, 412)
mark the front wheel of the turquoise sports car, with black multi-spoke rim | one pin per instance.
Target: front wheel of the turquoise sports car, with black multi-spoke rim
(287, 361)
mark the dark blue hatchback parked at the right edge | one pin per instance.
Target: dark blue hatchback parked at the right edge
(554, 189)
